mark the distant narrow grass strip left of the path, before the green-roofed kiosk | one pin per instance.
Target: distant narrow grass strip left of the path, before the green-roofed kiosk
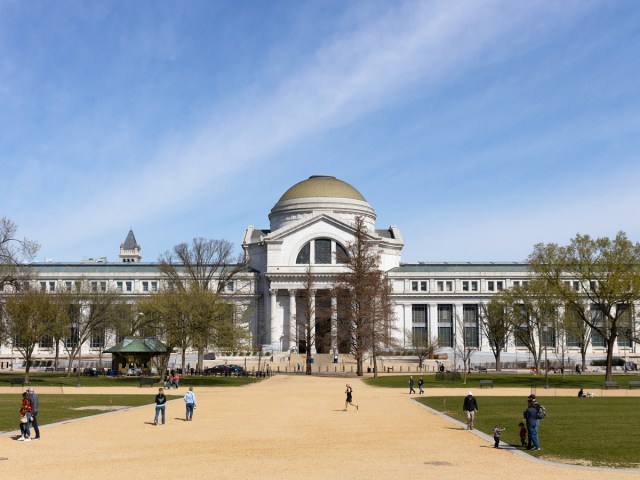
(61, 380)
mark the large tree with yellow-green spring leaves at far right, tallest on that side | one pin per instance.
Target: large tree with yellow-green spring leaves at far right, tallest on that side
(607, 272)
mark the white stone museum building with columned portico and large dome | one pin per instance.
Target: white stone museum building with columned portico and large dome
(310, 227)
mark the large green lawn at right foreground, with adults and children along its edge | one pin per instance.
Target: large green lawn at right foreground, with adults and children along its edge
(593, 431)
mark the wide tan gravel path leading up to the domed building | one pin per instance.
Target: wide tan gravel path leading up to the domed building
(287, 427)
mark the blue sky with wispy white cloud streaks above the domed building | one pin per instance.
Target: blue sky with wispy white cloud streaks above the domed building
(478, 127)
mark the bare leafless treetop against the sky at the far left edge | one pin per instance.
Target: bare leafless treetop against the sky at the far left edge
(15, 255)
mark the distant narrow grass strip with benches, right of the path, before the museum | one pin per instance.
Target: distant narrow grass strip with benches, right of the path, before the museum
(572, 382)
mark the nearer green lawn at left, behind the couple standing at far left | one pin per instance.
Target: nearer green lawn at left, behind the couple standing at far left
(57, 408)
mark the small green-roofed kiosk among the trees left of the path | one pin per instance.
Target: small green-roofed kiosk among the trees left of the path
(136, 353)
